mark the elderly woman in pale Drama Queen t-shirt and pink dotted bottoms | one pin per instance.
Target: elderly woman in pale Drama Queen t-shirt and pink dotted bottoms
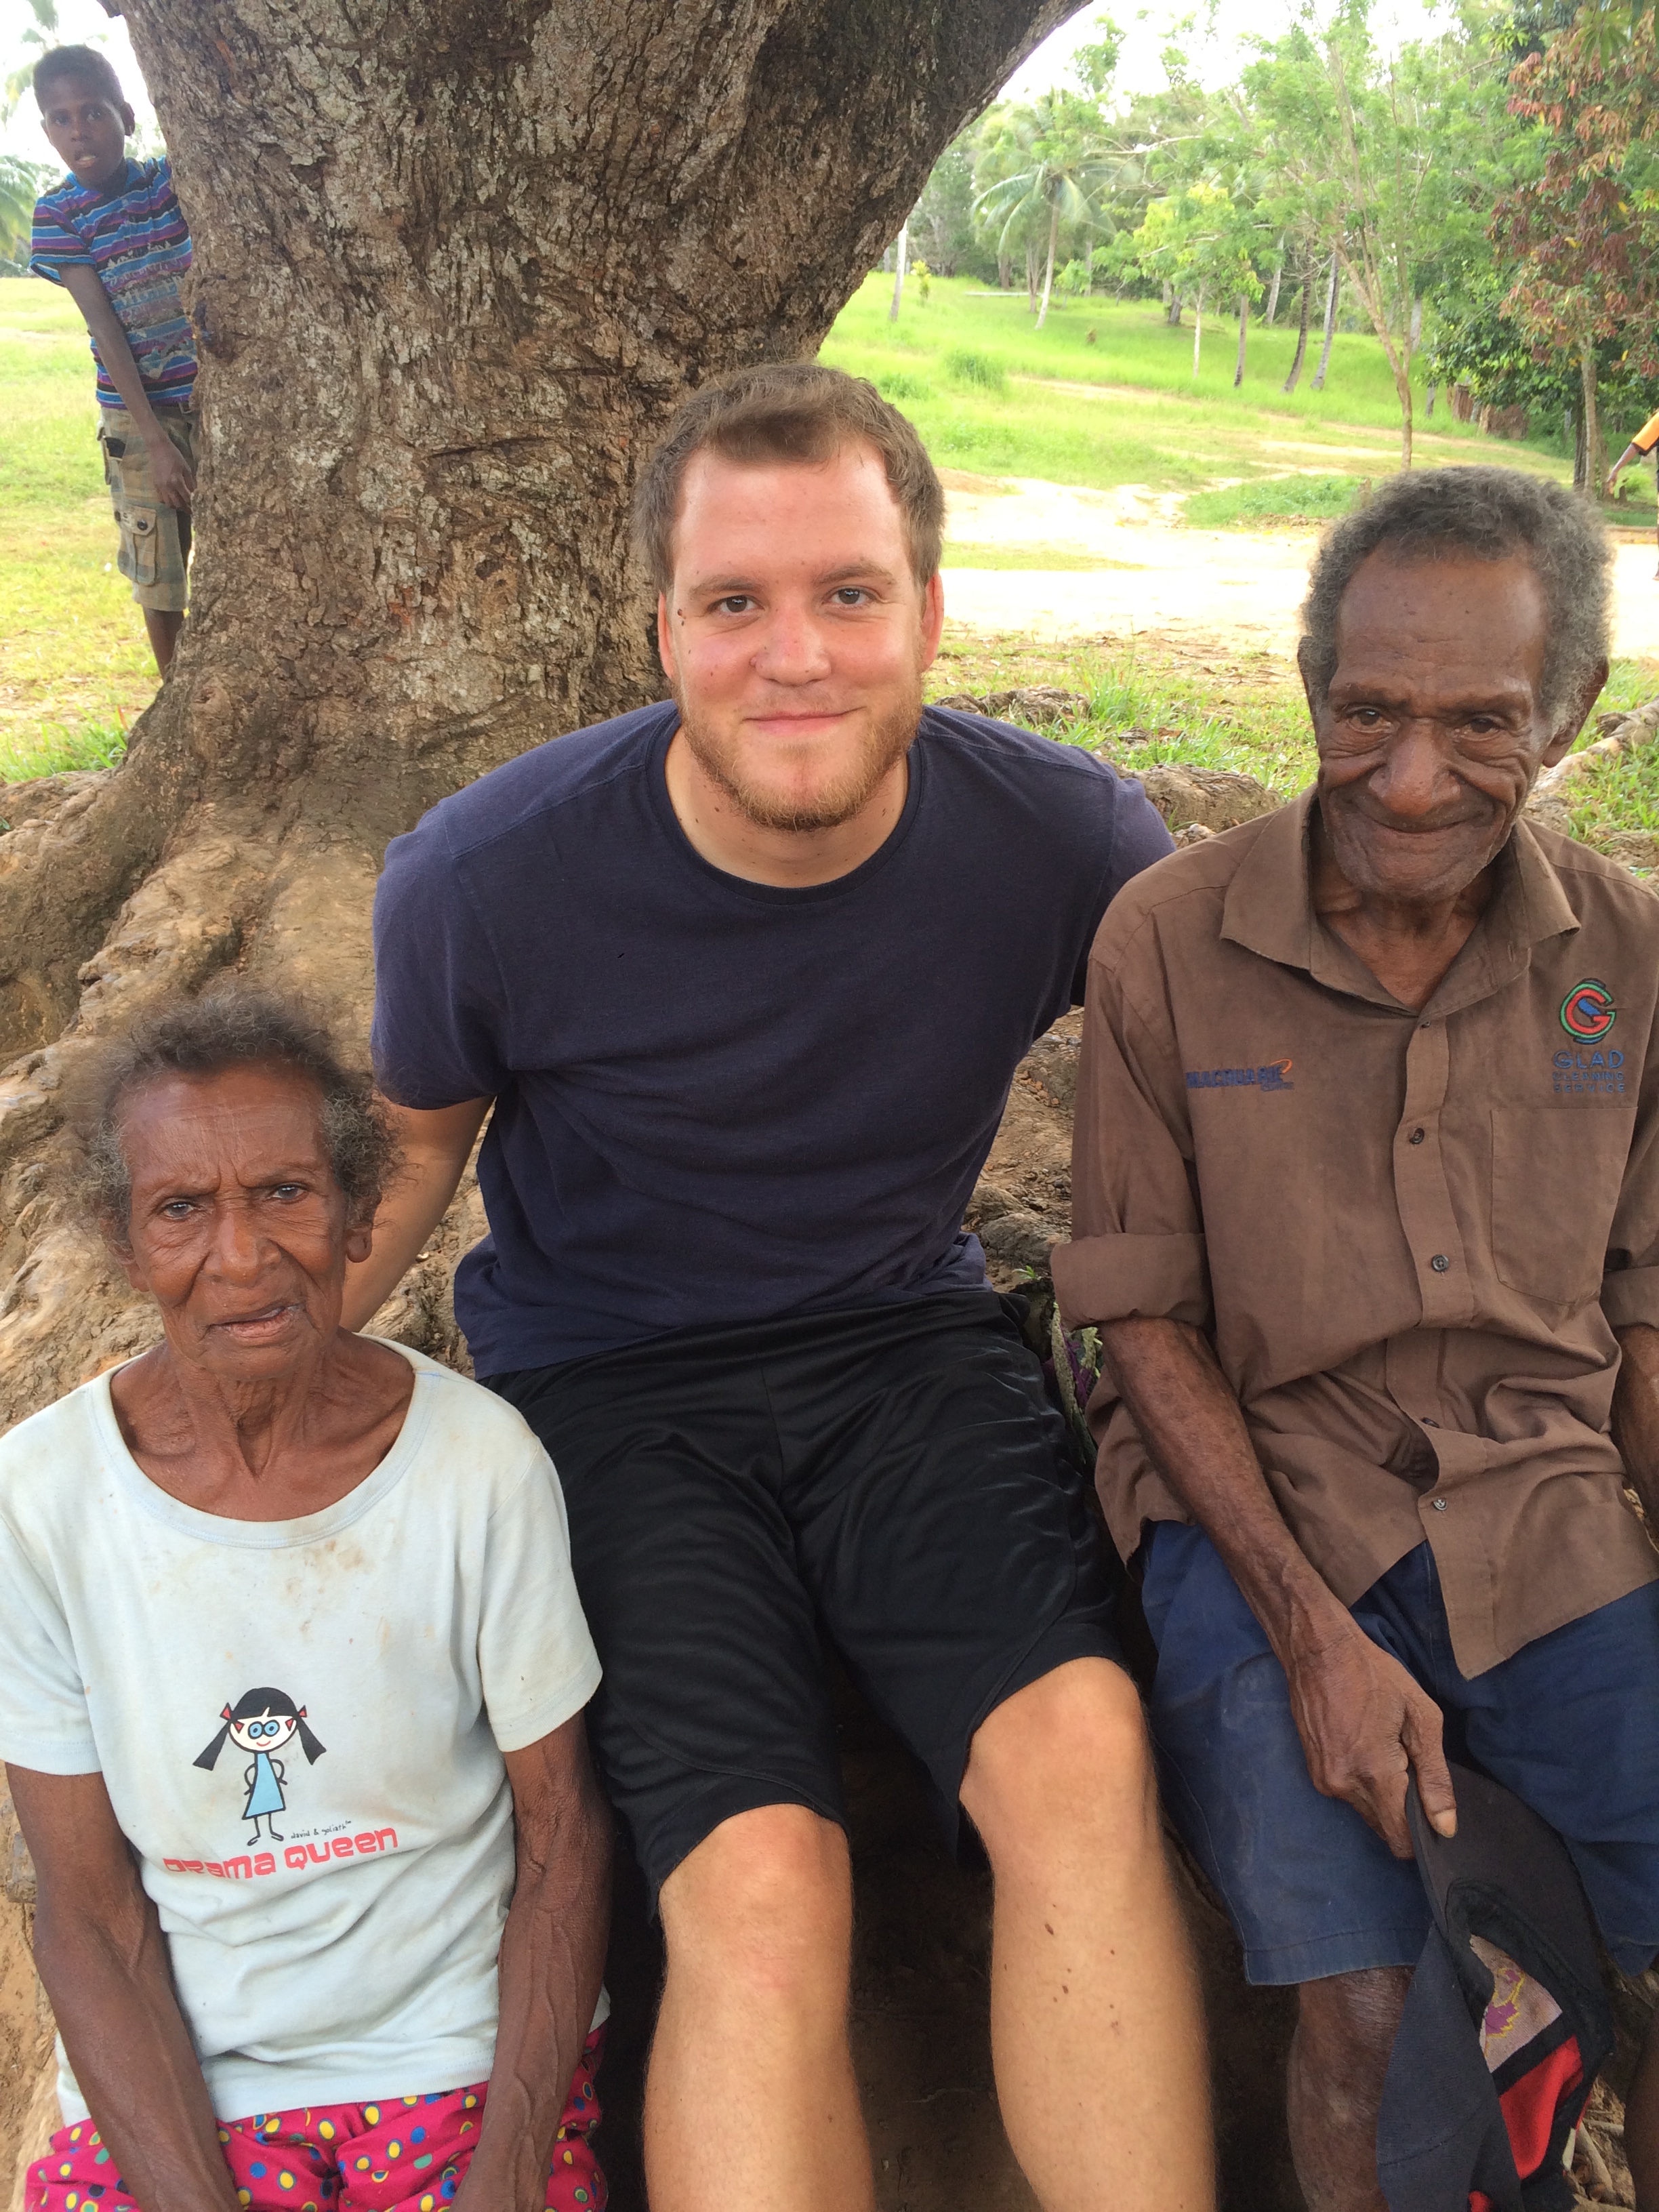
(291, 1695)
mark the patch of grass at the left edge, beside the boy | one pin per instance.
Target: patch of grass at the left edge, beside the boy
(74, 660)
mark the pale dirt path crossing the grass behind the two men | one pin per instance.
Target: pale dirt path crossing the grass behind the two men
(1231, 587)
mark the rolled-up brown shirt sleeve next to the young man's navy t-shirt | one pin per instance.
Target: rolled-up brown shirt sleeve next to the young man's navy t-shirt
(1136, 1227)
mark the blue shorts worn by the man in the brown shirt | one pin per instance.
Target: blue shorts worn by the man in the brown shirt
(1569, 1724)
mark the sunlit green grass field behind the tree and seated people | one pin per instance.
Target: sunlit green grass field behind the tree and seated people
(988, 393)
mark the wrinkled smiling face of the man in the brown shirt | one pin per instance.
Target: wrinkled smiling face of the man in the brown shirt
(1432, 729)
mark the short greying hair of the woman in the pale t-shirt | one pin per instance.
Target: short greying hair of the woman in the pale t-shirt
(209, 1036)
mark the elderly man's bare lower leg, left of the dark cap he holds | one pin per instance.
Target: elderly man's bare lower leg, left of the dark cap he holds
(1337, 2065)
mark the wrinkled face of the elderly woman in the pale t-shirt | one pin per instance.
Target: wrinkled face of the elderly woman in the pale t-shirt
(238, 1227)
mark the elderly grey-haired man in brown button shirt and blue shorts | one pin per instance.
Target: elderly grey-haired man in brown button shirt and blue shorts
(1368, 1215)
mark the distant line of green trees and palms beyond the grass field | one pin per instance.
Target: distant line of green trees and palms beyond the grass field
(1483, 200)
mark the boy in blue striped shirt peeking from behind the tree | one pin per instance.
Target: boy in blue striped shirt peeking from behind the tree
(112, 233)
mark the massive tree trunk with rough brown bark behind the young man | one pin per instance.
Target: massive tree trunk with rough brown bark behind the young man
(455, 269)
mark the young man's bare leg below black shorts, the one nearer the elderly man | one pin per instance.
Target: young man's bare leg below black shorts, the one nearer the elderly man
(1096, 2018)
